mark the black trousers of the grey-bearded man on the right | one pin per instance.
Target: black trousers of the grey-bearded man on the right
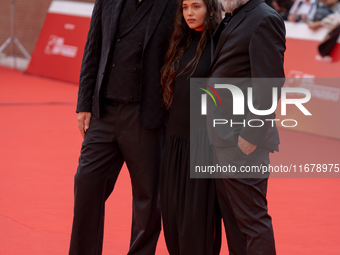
(243, 203)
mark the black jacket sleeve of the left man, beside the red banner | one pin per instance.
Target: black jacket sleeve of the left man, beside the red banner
(91, 58)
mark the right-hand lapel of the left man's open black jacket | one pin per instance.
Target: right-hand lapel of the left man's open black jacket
(156, 14)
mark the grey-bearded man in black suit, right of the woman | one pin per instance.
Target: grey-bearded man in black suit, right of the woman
(249, 43)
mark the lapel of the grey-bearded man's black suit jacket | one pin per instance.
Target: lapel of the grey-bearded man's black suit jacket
(233, 23)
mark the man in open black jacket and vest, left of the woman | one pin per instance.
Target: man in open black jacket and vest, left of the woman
(121, 117)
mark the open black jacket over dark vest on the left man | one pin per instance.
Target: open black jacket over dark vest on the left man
(98, 50)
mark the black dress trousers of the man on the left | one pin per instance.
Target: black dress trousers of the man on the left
(116, 137)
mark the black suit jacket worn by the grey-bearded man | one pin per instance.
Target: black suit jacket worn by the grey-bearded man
(251, 46)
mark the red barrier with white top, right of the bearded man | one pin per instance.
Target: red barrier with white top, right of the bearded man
(302, 60)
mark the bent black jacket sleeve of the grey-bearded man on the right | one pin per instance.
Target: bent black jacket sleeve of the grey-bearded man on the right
(266, 53)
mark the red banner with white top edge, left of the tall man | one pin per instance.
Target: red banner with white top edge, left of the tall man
(59, 50)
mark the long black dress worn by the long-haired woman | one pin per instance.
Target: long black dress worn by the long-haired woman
(188, 205)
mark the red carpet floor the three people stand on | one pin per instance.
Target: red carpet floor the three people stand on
(39, 149)
